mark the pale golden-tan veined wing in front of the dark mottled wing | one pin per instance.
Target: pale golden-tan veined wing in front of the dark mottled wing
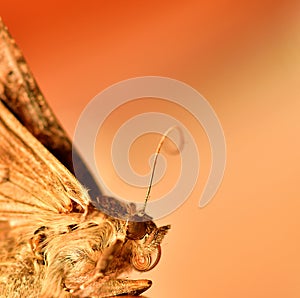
(33, 182)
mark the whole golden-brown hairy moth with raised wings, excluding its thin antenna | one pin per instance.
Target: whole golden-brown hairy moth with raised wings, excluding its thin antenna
(54, 241)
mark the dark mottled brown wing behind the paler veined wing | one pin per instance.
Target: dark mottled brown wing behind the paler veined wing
(21, 94)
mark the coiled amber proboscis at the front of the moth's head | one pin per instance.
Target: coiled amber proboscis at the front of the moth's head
(146, 261)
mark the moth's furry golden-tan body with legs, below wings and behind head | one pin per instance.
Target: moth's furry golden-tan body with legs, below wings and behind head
(62, 255)
